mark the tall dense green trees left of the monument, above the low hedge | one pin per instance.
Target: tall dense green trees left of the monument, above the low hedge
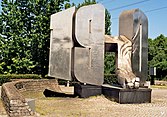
(24, 35)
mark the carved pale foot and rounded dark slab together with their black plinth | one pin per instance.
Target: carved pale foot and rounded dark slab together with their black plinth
(131, 59)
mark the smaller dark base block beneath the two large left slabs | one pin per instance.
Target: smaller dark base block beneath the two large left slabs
(84, 91)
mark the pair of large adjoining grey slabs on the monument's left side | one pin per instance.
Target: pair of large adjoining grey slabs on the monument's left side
(77, 44)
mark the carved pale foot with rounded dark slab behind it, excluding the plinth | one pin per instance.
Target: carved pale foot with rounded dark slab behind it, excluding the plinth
(132, 54)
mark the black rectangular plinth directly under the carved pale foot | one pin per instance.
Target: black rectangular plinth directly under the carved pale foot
(125, 96)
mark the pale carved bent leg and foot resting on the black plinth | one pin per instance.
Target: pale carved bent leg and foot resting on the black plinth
(124, 72)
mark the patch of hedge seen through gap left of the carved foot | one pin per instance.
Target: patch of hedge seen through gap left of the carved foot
(110, 79)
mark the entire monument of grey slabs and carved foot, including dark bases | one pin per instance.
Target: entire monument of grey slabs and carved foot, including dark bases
(77, 51)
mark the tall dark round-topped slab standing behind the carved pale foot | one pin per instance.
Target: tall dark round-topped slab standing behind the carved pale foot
(133, 24)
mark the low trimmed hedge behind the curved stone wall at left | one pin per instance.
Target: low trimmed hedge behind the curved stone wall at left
(8, 77)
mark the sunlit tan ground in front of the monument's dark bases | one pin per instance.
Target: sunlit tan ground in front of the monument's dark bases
(100, 107)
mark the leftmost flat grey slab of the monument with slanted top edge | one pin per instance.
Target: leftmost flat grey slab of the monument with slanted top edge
(61, 44)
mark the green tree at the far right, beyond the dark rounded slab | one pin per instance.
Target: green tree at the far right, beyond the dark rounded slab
(157, 55)
